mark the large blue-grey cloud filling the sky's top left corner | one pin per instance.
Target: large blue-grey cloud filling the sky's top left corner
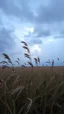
(22, 10)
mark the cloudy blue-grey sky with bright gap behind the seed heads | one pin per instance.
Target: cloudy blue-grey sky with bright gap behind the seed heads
(39, 23)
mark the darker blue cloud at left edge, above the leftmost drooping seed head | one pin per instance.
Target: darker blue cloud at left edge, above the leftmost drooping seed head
(6, 41)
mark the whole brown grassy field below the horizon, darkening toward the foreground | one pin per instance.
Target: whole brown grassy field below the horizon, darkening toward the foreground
(37, 90)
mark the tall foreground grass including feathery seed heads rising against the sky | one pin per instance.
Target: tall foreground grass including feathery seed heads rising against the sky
(16, 98)
